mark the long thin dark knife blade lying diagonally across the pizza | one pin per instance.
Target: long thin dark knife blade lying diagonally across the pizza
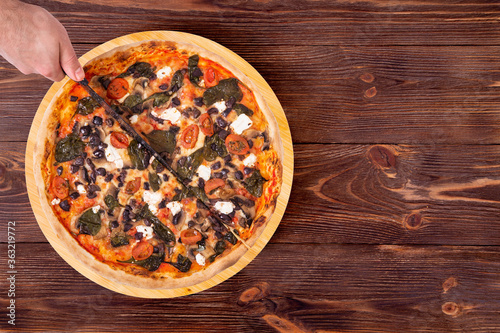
(132, 132)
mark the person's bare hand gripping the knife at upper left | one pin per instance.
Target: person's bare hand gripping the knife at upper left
(36, 42)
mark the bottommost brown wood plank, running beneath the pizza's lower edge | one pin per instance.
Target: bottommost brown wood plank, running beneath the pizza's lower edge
(341, 288)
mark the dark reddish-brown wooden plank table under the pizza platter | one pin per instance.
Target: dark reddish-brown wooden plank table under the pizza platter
(393, 222)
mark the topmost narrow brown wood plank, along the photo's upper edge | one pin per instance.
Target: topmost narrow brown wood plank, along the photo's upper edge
(303, 22)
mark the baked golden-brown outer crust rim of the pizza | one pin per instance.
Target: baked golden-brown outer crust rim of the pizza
(45, 144)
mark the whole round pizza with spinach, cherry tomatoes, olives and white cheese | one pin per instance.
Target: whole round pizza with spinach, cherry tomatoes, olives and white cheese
(126, 216)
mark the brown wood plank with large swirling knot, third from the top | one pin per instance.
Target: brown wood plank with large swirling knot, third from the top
(351, 194)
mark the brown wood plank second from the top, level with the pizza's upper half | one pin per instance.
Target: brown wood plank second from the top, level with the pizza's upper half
(345, 95)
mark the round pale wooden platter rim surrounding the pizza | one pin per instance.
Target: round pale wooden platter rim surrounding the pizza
(284, 131)
